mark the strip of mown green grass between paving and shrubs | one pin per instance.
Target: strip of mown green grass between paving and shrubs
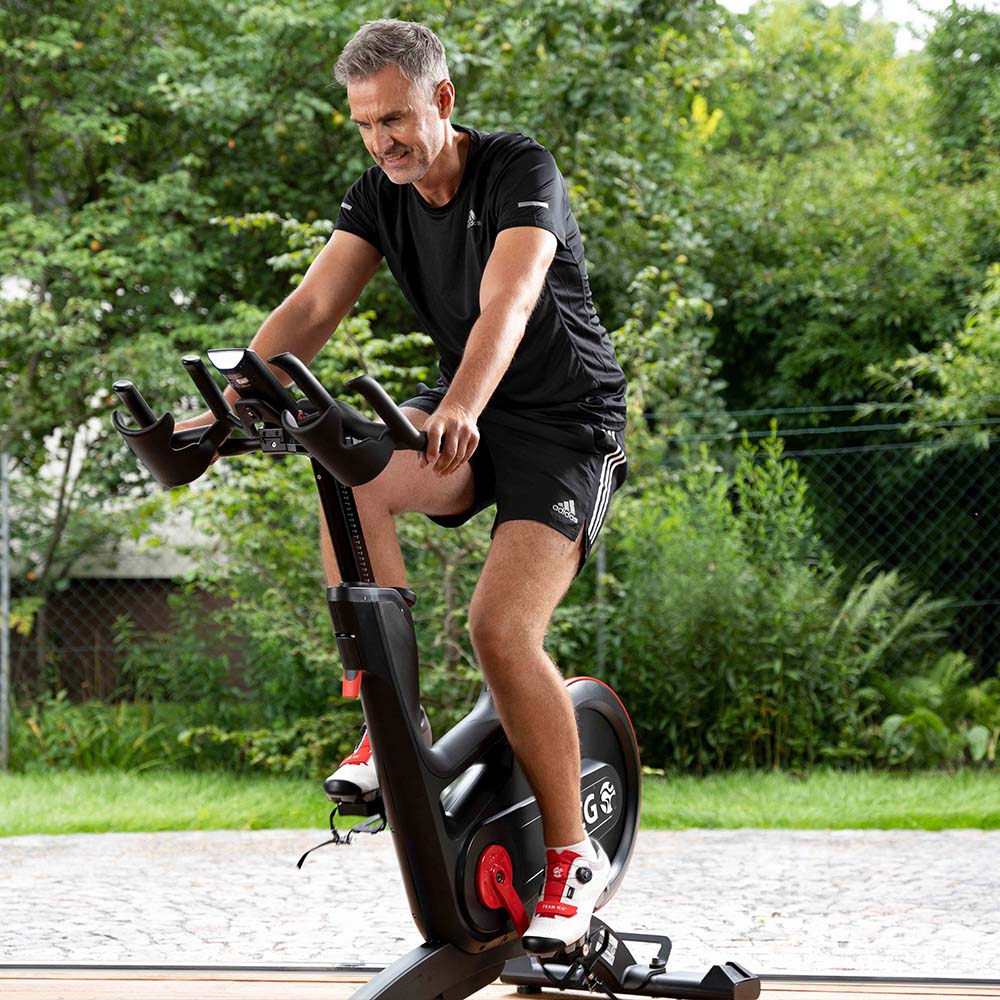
(77, 802)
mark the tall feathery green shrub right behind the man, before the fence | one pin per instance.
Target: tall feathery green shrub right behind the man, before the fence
(731, 642)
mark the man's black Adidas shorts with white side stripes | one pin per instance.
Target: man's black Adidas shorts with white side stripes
(559, 475)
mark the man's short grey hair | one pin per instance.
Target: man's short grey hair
(414, 48)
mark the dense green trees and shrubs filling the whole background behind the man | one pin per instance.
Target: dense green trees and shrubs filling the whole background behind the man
(778, 210)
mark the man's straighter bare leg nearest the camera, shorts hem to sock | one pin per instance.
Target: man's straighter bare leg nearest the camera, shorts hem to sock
(528, 571)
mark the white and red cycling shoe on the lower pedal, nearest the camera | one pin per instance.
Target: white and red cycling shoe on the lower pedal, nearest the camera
(573, 884)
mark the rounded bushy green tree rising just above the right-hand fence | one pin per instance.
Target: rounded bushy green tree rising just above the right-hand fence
(830, 263)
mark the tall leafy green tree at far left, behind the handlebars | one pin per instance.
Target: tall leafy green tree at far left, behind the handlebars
(125, 130)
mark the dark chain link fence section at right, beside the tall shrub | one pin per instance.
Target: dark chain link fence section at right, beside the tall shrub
(927, 508)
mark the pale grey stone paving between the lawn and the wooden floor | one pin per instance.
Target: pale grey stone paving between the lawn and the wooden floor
(880, 903)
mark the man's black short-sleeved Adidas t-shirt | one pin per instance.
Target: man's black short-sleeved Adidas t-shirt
(565, 369)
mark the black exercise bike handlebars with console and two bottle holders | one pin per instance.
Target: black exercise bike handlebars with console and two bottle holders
(351, 447)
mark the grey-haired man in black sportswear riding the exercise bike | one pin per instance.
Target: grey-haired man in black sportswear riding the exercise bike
(528, 413)
